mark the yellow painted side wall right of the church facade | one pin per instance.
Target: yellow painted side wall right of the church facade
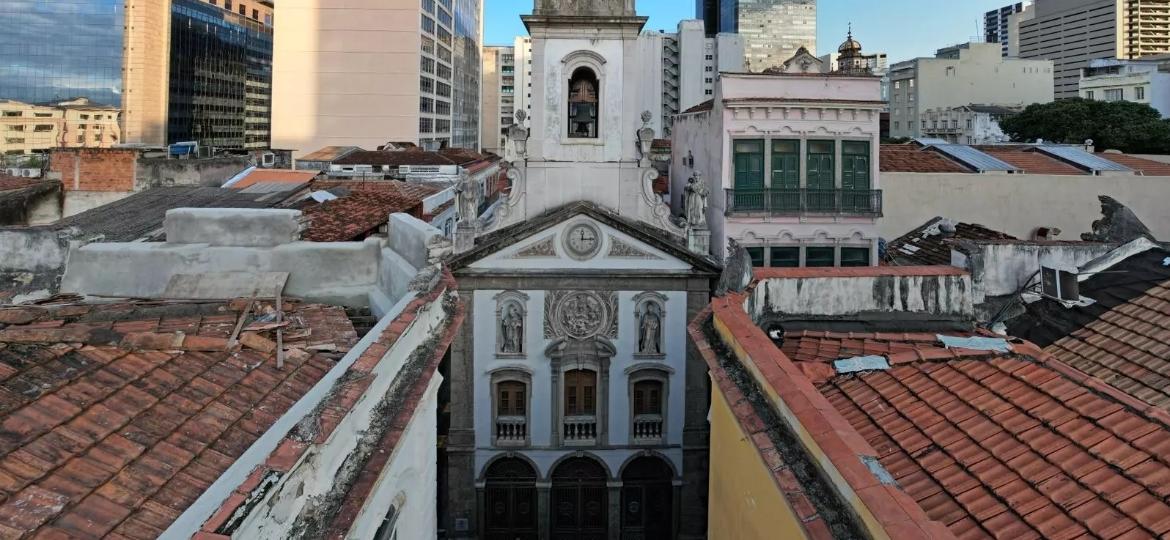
(745, 502)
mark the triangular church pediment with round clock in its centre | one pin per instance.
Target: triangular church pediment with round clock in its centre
(581, 238)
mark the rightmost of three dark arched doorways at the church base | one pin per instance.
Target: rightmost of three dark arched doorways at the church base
(648, 509)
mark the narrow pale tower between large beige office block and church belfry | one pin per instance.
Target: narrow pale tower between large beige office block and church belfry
(498, 101)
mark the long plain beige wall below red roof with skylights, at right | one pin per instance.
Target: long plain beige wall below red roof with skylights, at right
(1018, 205)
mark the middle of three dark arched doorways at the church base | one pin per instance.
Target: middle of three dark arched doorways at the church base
(580, 502)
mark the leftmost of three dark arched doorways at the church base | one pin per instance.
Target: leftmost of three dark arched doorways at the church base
(510, 497)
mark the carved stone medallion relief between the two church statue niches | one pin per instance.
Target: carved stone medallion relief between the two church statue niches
(581, 315)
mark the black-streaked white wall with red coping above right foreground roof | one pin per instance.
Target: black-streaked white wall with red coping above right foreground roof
(942, 296)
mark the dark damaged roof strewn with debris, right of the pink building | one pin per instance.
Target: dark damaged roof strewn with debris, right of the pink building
(931, 245)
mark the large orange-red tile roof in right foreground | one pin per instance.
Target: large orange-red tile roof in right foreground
(1000, 446)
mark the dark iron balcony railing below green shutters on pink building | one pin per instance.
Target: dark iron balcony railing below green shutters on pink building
(796, 203)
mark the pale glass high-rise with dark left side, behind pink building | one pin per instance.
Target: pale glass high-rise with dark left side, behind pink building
(773, 30)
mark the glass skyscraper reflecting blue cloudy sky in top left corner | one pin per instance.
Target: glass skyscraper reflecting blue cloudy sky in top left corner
(52, 51)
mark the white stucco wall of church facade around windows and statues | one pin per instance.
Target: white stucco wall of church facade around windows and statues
(541, 405)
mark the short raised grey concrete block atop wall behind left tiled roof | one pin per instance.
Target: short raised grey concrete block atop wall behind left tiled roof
(249, 229)
